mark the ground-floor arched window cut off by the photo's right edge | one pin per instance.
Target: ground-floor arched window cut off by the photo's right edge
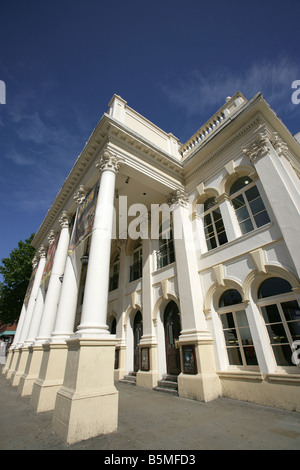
(281, 314)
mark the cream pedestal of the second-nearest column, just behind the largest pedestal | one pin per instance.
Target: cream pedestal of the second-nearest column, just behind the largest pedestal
(50, 378)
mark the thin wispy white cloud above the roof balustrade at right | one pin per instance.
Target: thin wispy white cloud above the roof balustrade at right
(207, 91)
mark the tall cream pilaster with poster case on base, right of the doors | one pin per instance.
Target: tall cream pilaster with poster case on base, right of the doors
(202, 383)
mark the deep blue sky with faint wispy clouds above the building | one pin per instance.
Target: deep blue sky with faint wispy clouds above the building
(173, 61)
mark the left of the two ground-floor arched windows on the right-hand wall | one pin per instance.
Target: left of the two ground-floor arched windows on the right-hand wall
(237, 334)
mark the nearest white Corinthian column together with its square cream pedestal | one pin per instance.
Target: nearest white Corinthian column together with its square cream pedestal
(87, 403)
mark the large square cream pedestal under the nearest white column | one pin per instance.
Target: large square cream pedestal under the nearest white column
(87, 403)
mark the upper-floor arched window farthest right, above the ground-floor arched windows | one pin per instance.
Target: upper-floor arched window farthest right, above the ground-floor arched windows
(247, 202)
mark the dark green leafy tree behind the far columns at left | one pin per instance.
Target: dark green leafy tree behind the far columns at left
(16, 271)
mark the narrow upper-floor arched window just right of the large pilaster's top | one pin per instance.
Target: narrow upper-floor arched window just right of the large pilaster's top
(214, 229)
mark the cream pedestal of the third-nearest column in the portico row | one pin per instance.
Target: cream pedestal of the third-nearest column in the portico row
(35, 354)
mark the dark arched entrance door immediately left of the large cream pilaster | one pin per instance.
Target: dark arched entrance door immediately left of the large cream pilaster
(172, 332)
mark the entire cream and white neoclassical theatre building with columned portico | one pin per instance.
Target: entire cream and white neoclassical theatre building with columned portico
(169, 266)
